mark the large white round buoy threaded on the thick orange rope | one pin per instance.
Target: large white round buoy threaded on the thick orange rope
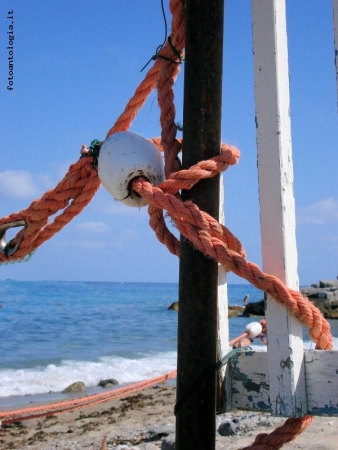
(125, 156)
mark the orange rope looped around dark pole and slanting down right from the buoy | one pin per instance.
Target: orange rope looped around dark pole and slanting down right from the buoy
(216, 241)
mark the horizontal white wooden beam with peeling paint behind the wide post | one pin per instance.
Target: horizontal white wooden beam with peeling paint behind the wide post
(250, 382)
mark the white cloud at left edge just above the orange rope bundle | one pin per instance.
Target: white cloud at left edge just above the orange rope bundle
(18, 184)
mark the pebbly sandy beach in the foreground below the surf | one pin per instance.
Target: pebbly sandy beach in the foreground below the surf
(146, 421)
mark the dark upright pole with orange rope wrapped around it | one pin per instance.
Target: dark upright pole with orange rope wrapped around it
(197, 322)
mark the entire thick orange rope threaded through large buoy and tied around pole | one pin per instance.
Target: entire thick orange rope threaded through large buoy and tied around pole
(81, 182)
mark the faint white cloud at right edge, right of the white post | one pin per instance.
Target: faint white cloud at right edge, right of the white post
(319, 213)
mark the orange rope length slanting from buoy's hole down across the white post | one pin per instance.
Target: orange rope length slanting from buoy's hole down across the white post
(195, 226)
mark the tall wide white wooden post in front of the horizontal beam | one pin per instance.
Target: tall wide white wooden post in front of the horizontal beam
(277, 208)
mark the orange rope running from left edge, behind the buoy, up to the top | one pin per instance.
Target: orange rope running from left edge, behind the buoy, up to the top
(81, 182)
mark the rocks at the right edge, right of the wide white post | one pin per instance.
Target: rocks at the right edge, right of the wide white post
(325, 296)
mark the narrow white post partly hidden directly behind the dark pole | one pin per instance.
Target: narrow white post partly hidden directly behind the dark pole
(223, 323)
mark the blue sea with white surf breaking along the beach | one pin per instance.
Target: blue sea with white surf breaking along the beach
(54, 333)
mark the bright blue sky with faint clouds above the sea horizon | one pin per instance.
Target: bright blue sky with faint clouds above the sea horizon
(77, 63)
